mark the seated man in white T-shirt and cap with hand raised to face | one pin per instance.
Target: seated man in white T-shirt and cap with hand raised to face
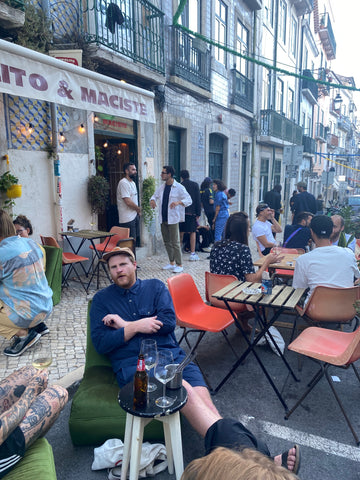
(264, 227)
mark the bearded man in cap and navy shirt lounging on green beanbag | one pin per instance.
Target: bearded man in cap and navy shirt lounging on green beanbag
(128, 311)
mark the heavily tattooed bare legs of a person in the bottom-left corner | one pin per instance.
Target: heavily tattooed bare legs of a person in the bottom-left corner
(28, 408)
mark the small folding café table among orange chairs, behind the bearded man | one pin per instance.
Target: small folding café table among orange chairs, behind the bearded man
(90, 236)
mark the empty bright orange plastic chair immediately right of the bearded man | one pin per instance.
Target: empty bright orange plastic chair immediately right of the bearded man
(192, 313)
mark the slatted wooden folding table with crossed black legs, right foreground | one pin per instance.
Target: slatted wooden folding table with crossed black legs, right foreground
(267, 309)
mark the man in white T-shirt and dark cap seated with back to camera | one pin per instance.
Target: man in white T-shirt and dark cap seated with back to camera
(327, 264)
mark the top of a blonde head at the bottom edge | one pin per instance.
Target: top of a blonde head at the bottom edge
(245, 465)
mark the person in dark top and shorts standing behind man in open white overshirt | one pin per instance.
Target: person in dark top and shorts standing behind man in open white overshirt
(192, 213)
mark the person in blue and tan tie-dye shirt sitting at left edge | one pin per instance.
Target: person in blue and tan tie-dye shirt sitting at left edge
(25, 296)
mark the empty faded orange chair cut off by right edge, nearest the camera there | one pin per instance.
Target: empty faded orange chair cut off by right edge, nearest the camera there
(329, 348)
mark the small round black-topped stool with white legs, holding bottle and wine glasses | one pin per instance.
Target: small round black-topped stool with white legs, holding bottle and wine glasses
(137, 419)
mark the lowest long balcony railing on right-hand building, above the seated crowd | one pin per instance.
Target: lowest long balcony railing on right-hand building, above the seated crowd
(275, 125)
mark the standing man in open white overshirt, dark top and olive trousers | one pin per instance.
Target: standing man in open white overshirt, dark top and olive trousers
(172, 198)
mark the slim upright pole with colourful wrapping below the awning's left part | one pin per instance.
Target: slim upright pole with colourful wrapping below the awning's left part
(57, 189)
